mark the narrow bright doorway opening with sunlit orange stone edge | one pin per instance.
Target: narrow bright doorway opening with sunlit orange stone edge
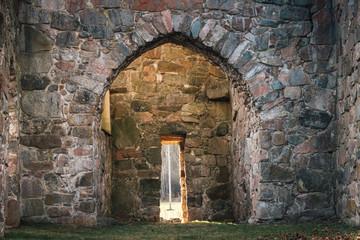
(173, 206)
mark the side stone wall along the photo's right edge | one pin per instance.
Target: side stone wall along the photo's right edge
(348, 110)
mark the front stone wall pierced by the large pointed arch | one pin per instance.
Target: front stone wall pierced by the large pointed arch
(282, 109)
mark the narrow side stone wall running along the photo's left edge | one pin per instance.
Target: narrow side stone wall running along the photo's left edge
(8, 117)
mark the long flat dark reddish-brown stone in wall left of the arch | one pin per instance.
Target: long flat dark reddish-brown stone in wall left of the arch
(41, 141)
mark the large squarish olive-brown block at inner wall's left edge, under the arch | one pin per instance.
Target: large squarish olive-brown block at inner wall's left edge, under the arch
(125, 133)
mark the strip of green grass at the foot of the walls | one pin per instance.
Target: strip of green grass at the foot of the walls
(193, 230)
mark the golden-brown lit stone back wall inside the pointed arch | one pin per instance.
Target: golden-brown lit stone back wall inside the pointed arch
(171, 91)
